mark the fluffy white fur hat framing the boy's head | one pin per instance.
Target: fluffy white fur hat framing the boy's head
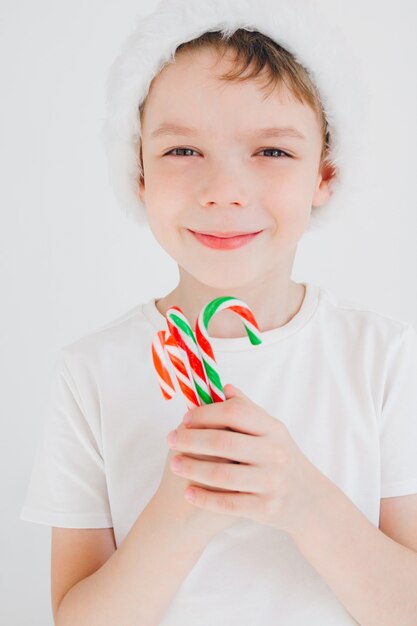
(299, 26)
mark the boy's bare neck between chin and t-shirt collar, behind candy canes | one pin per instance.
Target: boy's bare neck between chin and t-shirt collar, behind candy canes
(271, 310)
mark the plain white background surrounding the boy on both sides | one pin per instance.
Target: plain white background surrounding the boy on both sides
(71, 261)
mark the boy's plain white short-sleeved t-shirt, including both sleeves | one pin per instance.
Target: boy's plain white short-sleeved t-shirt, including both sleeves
(341, 377)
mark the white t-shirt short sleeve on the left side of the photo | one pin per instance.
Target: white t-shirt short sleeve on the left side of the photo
(67, 486)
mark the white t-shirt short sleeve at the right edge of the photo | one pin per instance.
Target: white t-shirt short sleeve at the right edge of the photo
(398, 427)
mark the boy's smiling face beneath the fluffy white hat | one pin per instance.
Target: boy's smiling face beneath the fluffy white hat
(224, 181)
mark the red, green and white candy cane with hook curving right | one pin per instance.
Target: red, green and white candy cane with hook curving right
(203, 338)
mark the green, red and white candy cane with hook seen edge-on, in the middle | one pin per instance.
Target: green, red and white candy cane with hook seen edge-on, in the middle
(183, 334)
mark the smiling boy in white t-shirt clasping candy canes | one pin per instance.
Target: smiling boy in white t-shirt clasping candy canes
(320, 432)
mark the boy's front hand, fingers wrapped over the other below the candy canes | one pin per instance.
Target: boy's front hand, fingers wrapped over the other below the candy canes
(271, 481)
